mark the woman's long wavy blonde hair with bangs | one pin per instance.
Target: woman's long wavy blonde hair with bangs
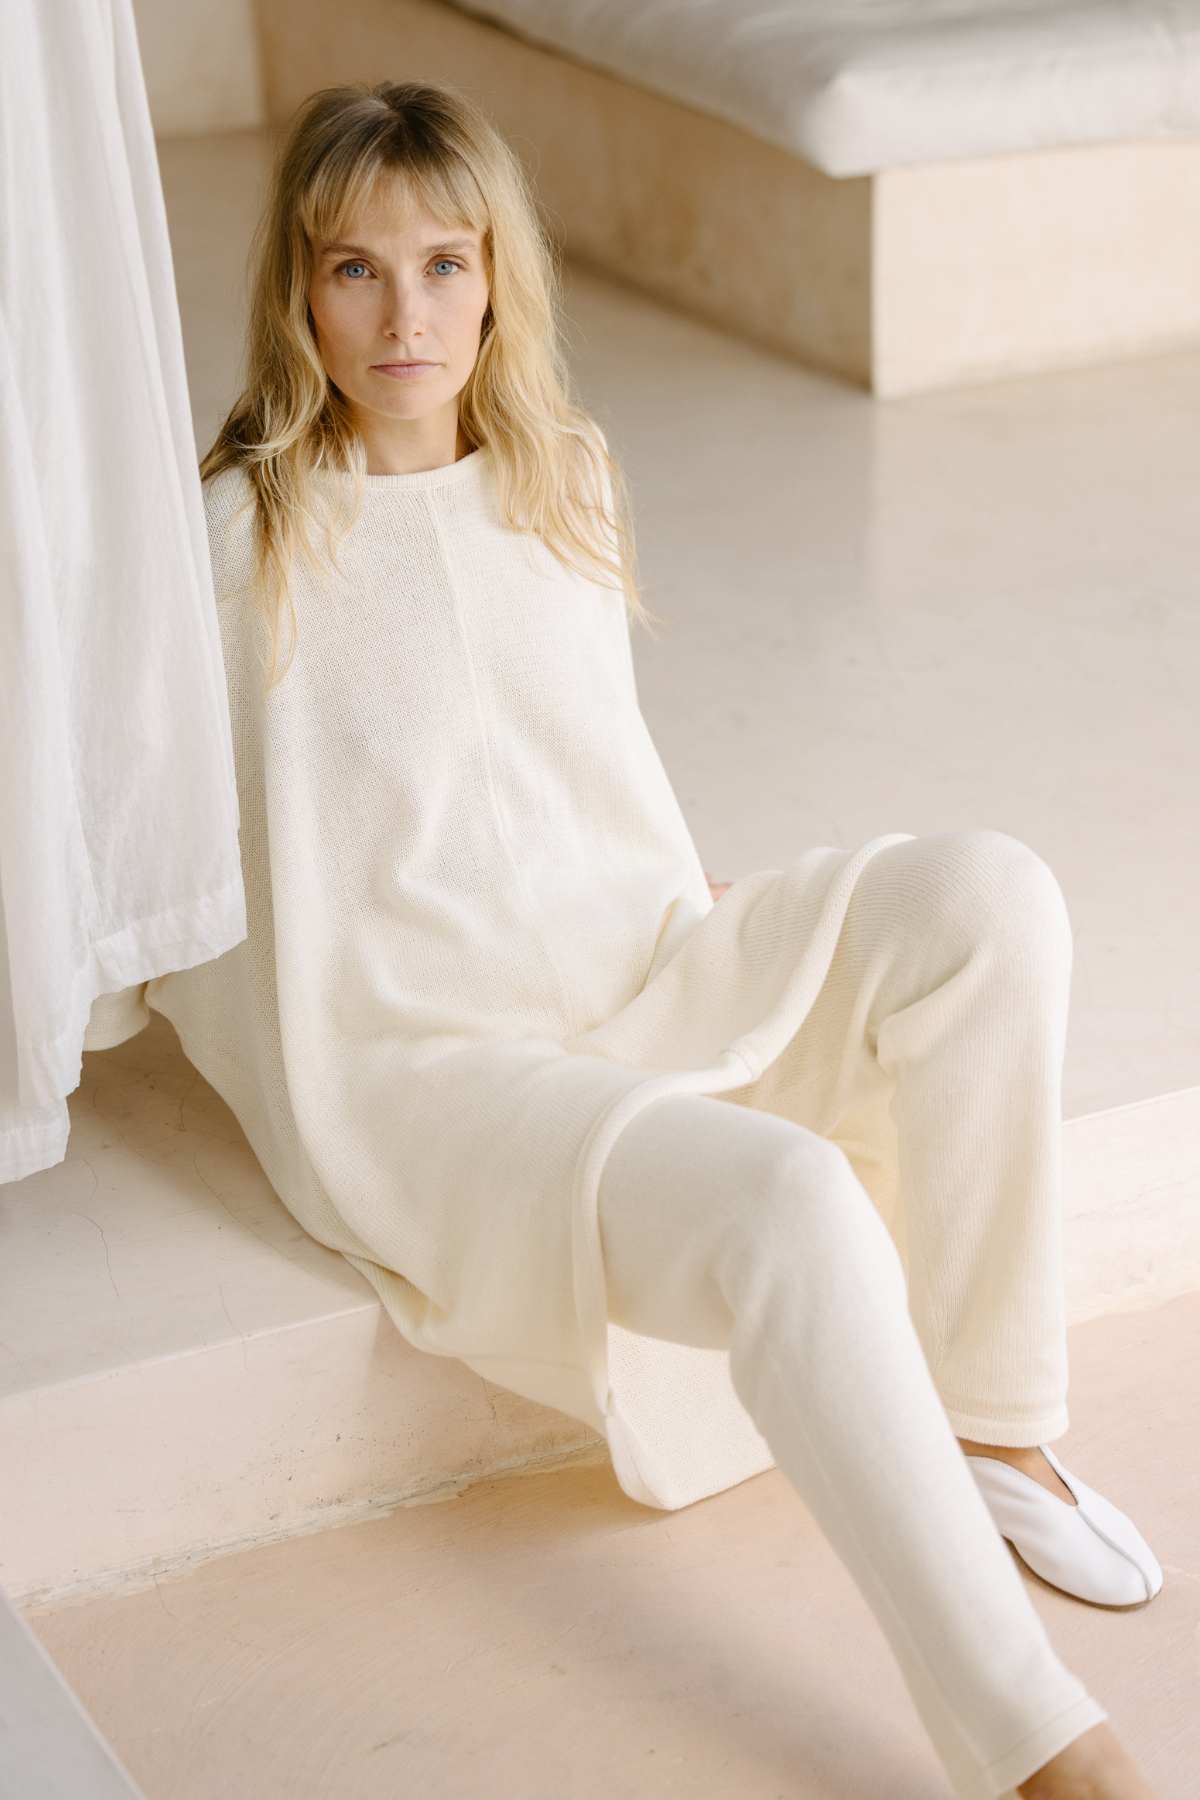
(341, 148)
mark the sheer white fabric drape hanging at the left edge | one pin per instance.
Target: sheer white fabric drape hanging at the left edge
(118, 798)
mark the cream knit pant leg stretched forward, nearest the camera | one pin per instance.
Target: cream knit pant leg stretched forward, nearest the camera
(739, 1230)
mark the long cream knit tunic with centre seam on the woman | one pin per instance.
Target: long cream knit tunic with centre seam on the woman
(479, 942)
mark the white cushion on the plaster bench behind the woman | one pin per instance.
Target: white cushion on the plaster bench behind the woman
(864, 85)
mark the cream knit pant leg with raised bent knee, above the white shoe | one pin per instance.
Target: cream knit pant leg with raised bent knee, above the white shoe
(935, 1059)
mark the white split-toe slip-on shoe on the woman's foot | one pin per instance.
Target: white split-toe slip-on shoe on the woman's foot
(1089, 1551)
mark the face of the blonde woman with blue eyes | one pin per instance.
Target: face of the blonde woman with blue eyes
(400, 287)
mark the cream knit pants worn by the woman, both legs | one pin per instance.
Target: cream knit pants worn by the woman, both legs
(875, 1234)
